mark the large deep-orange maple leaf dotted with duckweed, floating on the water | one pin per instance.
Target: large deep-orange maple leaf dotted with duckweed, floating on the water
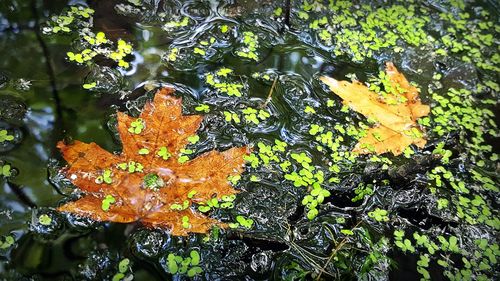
(150, 181)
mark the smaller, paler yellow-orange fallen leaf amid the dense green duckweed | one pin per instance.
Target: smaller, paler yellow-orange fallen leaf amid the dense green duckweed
(397, 127)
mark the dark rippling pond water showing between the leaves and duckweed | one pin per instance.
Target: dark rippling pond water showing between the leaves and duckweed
(283, 243)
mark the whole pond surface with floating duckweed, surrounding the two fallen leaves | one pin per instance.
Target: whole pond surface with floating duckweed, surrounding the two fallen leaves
(430, 212)
